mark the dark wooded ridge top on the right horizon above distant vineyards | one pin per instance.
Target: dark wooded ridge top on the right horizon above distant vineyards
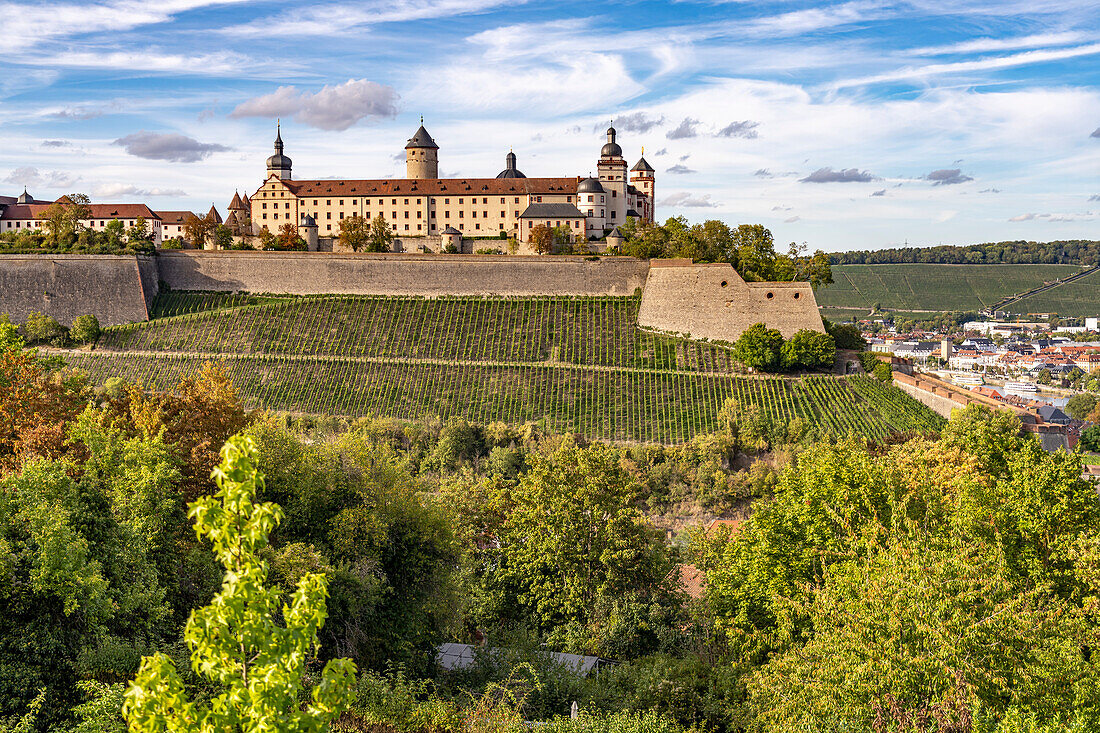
(1077, 251)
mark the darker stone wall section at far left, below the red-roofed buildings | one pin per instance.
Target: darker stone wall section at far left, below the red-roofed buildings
(70, 286)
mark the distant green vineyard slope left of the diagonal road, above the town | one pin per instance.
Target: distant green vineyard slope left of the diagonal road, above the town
(934, 287)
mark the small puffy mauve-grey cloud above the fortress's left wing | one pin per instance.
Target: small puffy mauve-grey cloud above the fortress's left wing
(333, 108)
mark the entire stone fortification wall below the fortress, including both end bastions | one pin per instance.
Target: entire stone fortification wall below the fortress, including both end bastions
(702, 301)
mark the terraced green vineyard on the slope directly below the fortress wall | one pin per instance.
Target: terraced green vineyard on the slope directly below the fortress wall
(573, 365)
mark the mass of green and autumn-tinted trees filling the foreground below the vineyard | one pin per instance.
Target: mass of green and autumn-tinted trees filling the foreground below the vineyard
(945, 582)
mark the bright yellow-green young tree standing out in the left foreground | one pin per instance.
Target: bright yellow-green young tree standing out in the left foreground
(235, 642)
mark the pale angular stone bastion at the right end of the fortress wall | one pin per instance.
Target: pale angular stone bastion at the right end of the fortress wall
(712, 302)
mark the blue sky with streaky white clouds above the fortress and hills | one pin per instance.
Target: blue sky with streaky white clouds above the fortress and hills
(856, 125)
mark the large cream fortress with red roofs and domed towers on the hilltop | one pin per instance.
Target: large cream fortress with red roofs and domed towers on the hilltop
(425, 205)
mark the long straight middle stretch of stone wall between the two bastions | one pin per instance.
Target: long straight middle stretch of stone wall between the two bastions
(400, 275)
